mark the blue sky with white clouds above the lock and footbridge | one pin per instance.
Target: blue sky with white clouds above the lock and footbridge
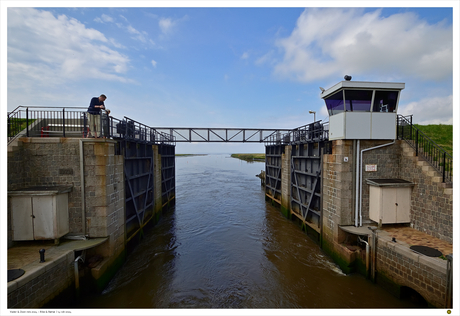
(226, 67)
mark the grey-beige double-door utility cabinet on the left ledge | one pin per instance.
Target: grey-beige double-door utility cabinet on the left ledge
(40, 213)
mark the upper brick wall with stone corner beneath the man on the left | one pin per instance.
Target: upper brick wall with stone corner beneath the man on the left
(56, 161)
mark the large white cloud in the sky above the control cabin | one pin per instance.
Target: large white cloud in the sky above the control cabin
(334, 42)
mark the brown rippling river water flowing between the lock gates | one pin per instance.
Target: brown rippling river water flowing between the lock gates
(223, 246)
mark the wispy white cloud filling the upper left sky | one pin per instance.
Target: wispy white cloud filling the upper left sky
(52, 51)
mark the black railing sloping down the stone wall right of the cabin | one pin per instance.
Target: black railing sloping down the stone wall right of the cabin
(425, 147)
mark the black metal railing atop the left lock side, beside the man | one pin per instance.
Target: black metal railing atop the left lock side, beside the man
(39, 121)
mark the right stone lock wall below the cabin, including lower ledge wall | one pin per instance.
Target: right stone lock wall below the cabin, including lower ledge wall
(431, 213)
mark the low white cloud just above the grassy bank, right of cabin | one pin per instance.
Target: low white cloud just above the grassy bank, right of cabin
(435, 110)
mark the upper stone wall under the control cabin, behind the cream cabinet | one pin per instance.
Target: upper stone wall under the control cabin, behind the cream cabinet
(431, 202)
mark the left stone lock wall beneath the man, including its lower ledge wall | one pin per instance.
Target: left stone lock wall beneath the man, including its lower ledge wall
(96, 206)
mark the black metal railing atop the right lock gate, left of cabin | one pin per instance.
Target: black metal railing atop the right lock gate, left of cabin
(313, 132)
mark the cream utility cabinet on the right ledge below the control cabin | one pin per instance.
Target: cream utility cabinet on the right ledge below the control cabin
(389, 200)
